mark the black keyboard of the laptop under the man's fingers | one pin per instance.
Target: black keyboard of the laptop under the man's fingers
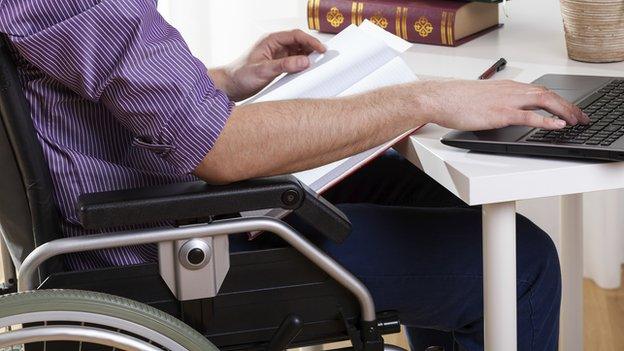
(606, 113)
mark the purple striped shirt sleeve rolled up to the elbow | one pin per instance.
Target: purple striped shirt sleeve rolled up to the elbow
(122, 53)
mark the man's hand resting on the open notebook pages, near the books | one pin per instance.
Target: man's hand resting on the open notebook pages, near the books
(282, 52)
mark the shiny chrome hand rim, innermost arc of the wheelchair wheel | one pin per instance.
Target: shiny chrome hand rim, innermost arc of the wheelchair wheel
(74, 333)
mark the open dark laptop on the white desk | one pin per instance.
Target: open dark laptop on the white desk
(602, 98)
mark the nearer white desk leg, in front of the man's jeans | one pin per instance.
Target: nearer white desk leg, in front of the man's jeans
(499, 277)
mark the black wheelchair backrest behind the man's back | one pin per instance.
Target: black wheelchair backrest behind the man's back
(28, 214)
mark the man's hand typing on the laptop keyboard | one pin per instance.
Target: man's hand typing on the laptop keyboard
(481, 105)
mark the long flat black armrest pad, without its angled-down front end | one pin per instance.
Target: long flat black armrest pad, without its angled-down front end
(184, 201)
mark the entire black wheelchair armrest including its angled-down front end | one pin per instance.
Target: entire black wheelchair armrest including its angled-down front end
(197, 200)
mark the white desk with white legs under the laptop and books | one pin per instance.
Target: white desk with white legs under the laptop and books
(533, 43)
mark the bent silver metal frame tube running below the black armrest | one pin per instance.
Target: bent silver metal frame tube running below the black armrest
(57, 247)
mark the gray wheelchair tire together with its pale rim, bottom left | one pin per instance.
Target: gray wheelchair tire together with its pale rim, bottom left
(63, 305)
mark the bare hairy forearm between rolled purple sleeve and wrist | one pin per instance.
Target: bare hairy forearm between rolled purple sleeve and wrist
(287, 136)
